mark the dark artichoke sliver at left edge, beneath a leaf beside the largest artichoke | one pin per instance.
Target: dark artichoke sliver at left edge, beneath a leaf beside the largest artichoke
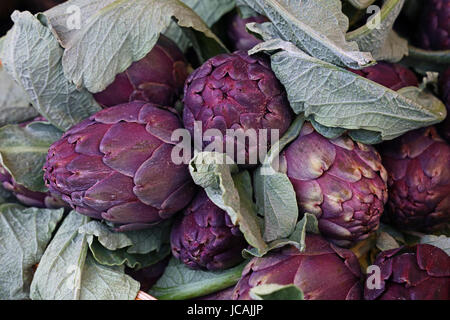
(28, 197)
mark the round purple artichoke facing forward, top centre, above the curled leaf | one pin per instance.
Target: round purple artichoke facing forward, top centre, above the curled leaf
(238, 92)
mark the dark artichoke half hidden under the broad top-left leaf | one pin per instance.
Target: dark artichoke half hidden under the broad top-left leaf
(157, 78)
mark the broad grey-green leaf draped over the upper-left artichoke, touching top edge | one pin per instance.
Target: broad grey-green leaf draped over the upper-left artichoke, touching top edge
(106, 43)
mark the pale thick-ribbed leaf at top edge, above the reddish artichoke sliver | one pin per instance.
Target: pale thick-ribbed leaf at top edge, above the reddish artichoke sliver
(382, 42)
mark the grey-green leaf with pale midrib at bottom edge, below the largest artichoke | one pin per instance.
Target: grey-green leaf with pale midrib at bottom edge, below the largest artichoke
(67, 271)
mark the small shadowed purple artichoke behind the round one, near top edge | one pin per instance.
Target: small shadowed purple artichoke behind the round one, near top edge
(237, 32)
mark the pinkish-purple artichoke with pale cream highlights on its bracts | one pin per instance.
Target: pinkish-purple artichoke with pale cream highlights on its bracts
(341, 182)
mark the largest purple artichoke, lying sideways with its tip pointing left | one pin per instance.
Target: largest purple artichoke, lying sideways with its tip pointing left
(117, 166)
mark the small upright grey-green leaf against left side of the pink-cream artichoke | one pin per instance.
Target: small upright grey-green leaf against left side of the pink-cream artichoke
(274, 193)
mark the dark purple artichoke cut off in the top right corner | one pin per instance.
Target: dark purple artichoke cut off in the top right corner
(434, 27)
